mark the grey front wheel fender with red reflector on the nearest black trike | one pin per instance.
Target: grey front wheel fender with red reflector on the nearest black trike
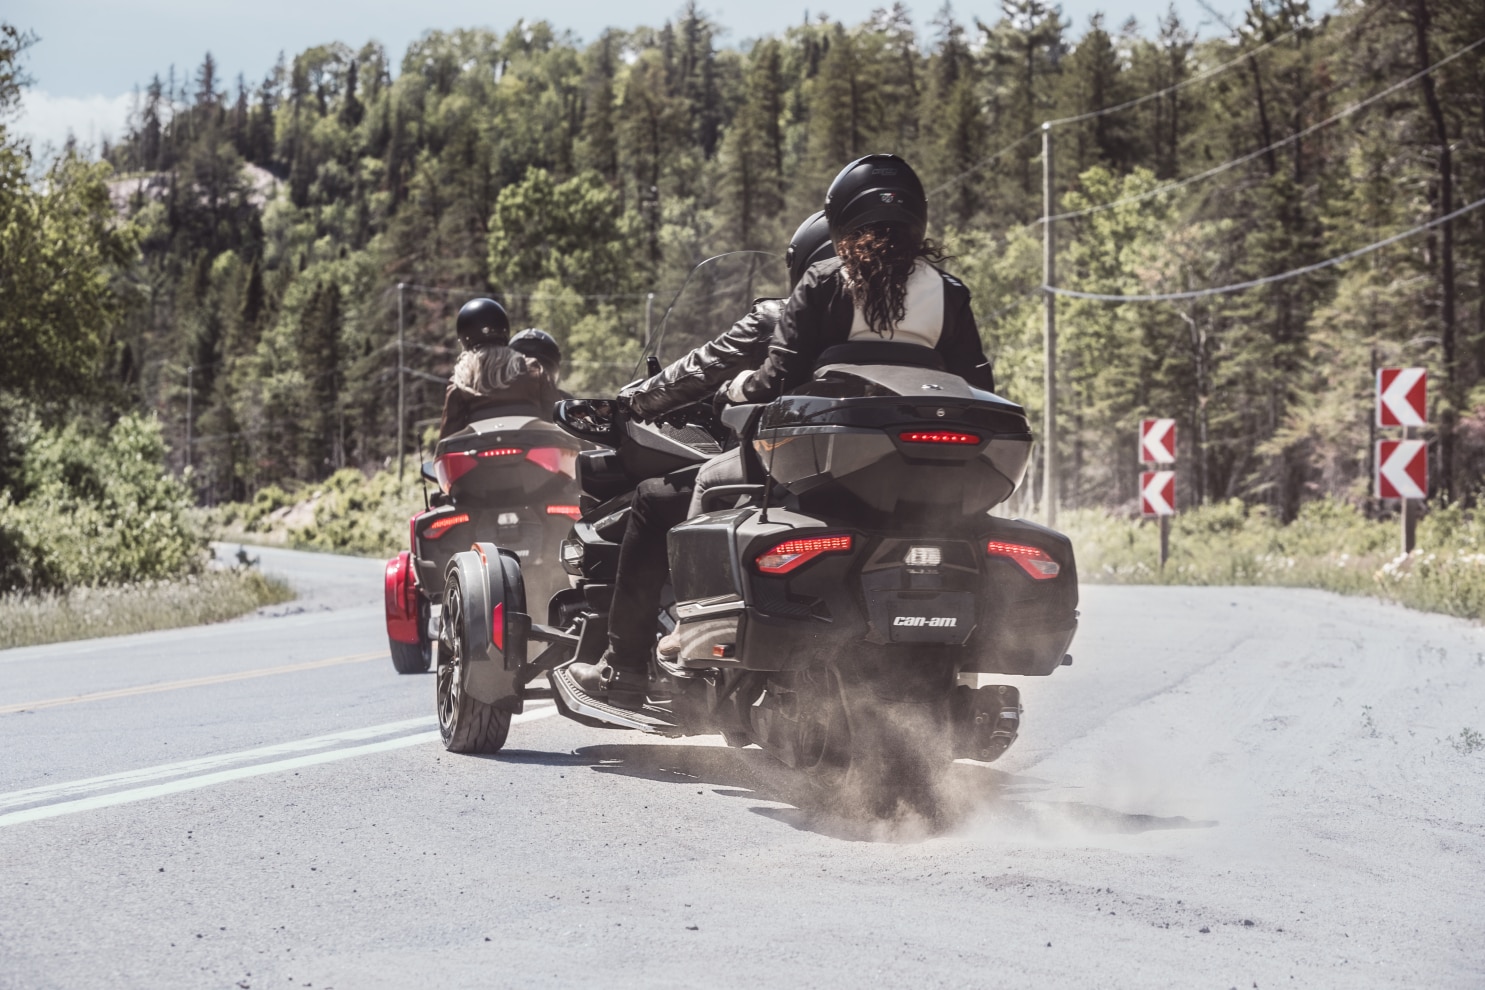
(497, 624)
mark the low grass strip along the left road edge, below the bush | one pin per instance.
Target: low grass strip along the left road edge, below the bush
(158, 605)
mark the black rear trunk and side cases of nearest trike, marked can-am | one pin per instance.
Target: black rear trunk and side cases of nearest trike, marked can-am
(886, 541)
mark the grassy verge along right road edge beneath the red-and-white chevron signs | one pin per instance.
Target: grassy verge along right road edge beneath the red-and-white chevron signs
(1330, 547)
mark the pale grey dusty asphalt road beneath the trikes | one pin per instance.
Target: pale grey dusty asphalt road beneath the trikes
(1229, 789)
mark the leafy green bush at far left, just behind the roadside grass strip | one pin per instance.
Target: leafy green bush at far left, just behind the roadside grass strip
(96, 508)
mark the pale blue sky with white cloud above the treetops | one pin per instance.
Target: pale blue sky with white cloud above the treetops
(93, 54)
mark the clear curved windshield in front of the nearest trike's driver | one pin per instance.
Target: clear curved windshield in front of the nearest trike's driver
(712, 298)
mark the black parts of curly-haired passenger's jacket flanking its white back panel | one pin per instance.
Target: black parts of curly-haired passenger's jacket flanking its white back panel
(820, 314)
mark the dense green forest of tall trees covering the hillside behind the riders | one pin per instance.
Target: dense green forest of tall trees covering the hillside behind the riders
(244, 244)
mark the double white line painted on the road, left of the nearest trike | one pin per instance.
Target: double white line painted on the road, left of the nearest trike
(223, 777)
